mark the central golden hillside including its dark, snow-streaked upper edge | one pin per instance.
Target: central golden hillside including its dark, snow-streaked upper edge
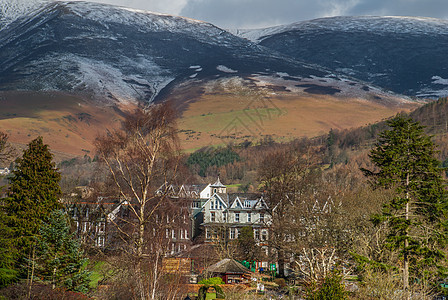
(234, 110)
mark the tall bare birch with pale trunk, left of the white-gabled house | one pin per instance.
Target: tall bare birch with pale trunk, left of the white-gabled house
(140, 158)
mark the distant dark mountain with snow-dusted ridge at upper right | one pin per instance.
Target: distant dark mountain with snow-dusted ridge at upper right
(407, 55)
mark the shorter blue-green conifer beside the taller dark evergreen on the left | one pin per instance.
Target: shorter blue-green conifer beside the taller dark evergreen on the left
(59, 257)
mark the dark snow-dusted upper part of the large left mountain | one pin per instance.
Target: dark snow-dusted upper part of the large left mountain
(123, 53)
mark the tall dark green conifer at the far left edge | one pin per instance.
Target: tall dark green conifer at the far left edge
(33, 194)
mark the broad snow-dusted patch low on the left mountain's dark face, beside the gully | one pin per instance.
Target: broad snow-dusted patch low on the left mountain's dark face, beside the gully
(143, 79)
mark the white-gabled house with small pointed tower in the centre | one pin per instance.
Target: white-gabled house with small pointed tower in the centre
(213, 210)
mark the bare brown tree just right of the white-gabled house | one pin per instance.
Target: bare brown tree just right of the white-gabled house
(286, 176)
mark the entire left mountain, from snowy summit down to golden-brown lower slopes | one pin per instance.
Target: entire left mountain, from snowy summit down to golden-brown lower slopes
(67, 69)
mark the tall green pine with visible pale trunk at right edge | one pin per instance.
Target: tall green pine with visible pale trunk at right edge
(405, 159)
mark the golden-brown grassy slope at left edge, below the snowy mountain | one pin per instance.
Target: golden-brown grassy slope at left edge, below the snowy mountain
(68, 124)
